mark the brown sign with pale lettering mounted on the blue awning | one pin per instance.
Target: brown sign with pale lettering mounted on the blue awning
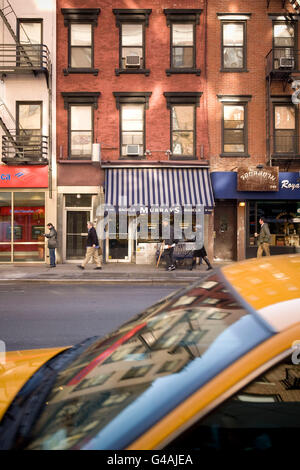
(258, 179)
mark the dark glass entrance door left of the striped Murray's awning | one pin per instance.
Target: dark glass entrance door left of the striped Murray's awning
(77, 233)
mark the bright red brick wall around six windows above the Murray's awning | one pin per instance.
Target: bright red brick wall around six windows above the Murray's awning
(106, 58)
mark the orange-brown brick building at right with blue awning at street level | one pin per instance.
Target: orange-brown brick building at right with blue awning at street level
(252, 60)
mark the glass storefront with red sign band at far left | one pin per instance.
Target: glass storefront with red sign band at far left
(23, 202)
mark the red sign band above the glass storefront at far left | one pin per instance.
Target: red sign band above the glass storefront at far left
(24, 176)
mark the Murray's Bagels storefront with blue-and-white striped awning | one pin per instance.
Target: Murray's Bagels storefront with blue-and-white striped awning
(137, 200)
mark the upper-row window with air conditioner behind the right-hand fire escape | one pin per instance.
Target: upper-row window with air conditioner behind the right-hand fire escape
(284, 34)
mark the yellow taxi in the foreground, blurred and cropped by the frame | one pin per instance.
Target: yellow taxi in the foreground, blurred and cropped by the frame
(212, 367)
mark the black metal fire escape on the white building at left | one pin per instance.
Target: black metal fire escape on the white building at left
(21, 146)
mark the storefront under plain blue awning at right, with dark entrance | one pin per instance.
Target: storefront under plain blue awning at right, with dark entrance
(280, 206)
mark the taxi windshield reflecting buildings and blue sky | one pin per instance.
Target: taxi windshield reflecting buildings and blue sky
(158, 360)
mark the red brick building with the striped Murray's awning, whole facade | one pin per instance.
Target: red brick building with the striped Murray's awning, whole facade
(131, 81)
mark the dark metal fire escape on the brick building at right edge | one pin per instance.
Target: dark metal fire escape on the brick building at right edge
(282, 67)
